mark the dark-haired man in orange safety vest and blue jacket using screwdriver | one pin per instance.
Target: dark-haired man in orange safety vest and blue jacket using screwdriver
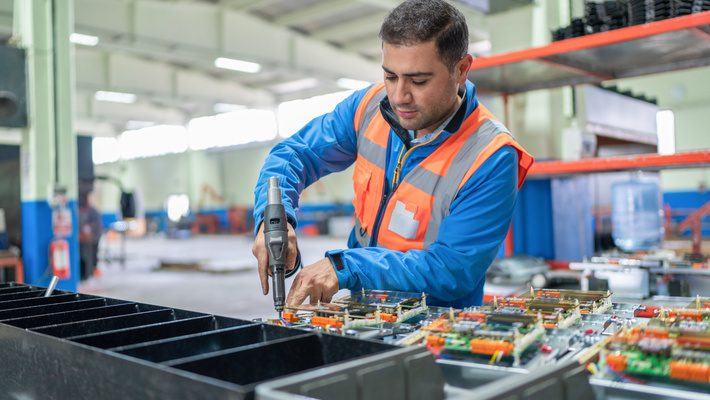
(435, 180)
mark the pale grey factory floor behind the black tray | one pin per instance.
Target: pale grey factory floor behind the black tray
(211, 274)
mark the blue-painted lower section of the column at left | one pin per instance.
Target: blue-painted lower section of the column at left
(36, 238)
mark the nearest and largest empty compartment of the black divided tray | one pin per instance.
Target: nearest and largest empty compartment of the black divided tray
(248, 366)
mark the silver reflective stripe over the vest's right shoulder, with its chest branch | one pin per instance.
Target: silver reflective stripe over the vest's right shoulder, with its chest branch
(445, 188)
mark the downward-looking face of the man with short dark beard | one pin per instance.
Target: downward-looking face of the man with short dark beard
(421, 89)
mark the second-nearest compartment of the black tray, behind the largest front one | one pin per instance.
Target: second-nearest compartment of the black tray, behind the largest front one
(206, 342)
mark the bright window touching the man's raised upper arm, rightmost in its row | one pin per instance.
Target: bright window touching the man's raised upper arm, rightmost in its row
(292, 115)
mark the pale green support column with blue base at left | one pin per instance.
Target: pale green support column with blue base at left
(48, 150)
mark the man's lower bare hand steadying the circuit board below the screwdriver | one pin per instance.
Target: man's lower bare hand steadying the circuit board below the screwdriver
(317, 281)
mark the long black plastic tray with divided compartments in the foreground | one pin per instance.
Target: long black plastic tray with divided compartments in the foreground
(78, 346)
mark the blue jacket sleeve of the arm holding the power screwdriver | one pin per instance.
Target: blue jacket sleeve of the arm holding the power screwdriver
(326, 144)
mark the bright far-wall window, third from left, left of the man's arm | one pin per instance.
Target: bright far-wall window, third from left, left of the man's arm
(232, 128)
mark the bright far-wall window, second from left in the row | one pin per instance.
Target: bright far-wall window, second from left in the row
(153, 141)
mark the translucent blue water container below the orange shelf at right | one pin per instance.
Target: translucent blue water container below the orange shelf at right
(636, 215)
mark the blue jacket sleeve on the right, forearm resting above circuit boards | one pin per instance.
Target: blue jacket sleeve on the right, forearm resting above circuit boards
(469, 239)
